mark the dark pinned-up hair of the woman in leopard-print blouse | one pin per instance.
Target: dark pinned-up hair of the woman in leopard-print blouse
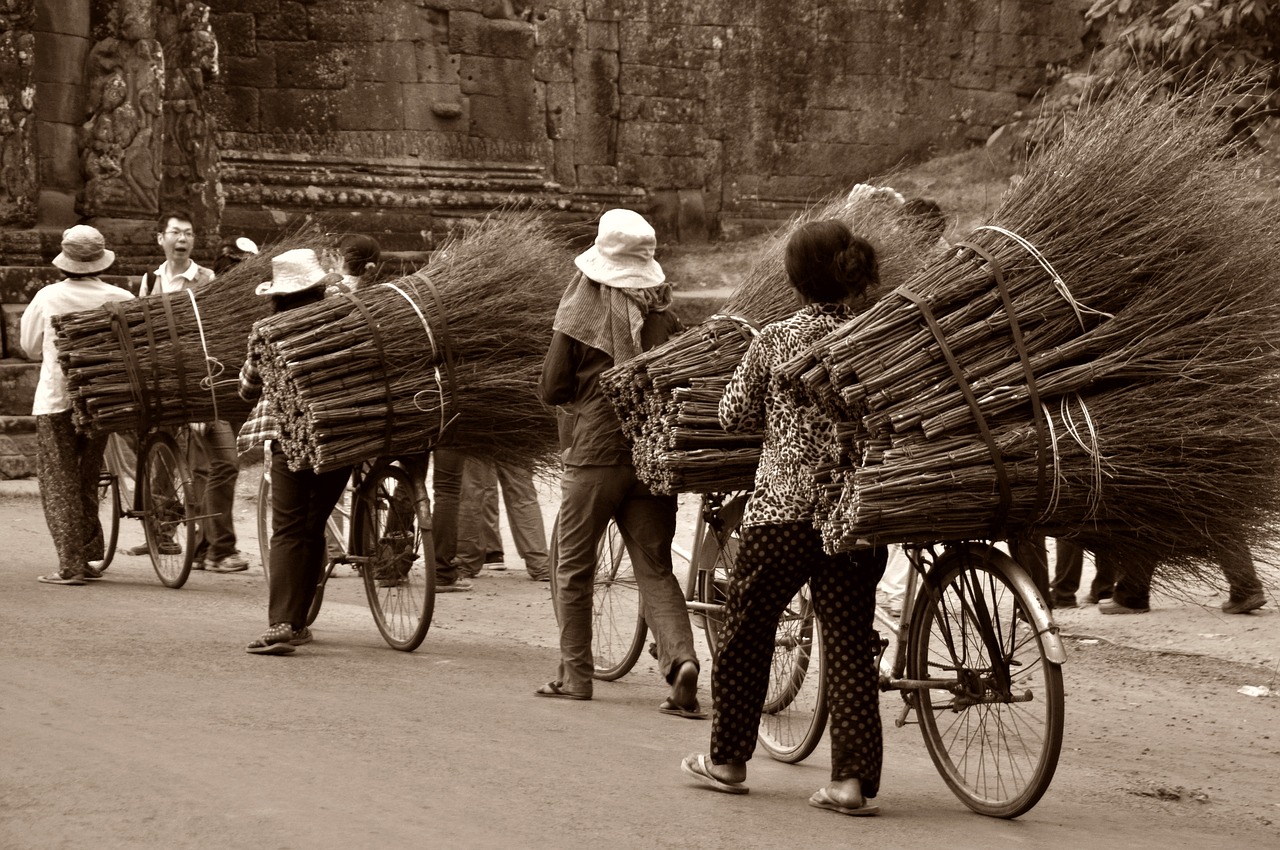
(826, 263)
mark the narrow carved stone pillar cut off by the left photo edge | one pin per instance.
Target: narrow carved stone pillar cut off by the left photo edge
(20, 184)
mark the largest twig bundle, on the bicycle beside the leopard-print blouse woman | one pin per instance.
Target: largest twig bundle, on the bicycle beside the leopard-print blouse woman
(1126, 389)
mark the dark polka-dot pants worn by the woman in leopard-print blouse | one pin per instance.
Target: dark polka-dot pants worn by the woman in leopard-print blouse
(772, 565)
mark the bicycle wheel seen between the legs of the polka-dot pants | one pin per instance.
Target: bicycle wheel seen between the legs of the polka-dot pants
(796, 705)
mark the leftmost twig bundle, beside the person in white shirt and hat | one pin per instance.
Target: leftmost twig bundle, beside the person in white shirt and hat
(168, 359)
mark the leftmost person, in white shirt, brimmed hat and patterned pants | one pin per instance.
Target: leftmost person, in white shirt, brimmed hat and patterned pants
(68, 463)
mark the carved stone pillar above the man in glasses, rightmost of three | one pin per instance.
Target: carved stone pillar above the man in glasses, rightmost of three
(191, 162)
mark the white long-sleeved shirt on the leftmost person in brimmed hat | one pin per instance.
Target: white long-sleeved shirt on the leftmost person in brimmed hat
(38, 333)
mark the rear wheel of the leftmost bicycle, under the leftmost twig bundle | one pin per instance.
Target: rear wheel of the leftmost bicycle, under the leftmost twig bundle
(168, 506)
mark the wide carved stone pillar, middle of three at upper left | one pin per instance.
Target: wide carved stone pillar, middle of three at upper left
(122, 141)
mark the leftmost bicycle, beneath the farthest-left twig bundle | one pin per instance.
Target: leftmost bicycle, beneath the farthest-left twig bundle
(163, 499)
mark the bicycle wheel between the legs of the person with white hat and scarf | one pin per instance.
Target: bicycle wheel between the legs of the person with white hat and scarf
(618, 615)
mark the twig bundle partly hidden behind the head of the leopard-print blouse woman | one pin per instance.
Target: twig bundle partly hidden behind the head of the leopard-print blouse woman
(668, 397)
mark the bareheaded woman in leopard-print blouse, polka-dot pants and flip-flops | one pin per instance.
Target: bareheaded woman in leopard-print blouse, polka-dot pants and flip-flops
(781, 550)
